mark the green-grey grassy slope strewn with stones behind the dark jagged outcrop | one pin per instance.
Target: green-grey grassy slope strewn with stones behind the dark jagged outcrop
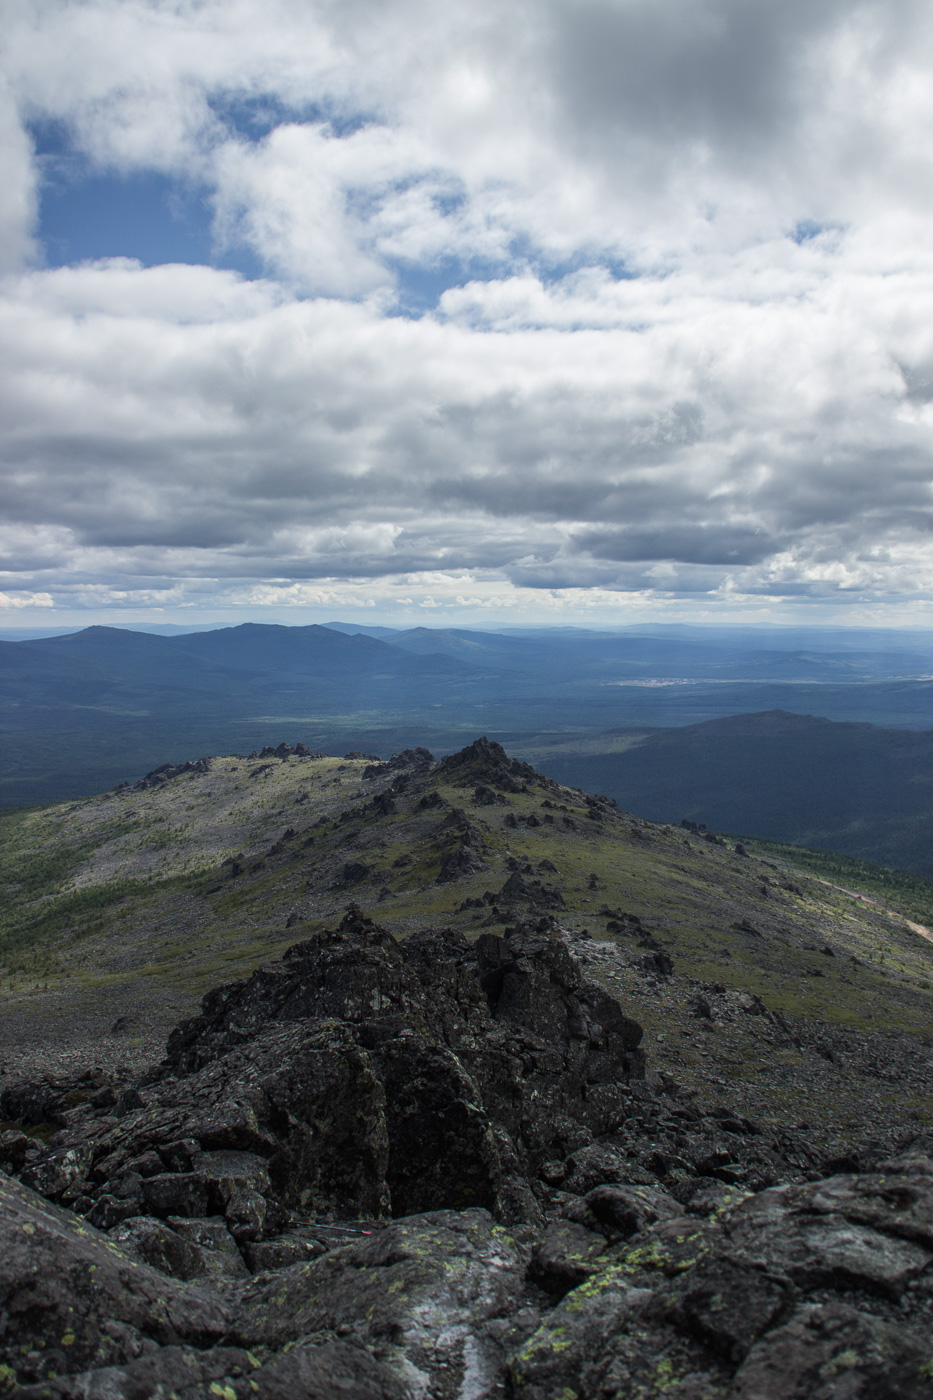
(121, 906)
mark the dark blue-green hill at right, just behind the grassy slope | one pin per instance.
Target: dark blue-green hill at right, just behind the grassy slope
(855, 789)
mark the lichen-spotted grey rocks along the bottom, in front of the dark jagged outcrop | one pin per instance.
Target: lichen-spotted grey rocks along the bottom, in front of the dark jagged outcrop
(809, 1291)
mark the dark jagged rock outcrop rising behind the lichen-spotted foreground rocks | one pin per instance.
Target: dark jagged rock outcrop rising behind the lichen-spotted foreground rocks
(359, 1077)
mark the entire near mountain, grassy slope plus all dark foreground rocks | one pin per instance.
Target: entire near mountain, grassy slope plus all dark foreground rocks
(516, 1098)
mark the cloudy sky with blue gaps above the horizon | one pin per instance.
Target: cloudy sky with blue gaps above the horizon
(490, 313)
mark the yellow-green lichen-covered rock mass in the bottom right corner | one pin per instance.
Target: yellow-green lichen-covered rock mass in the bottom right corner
(816, 1291)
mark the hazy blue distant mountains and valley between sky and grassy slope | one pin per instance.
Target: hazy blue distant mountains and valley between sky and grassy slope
(817, 738)
